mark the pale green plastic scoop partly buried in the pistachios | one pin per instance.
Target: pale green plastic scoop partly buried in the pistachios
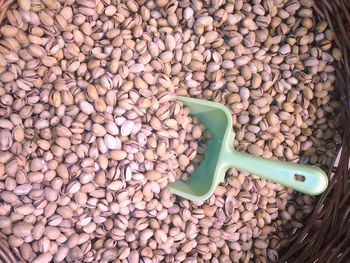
(220, 156)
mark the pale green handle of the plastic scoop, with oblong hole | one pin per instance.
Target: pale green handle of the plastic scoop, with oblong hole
(306, 179)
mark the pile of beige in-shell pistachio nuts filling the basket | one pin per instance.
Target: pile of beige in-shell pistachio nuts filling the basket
(91, 132)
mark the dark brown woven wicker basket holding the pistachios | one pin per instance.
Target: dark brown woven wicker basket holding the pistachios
(326, 234)
